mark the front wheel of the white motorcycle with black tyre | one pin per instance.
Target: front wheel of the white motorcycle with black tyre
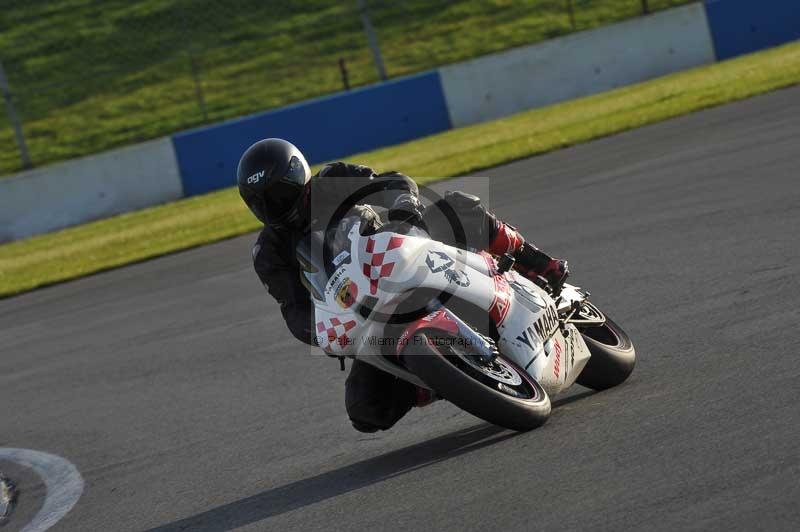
(466, 387)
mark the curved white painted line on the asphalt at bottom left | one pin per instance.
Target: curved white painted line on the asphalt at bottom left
(62, 479)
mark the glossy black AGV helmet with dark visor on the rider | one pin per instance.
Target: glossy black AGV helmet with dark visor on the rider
(272, 176)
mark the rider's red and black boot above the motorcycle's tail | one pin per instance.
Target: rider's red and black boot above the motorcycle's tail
(530, 261)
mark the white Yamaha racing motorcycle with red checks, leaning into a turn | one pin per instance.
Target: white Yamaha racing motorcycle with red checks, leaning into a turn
(460, 323)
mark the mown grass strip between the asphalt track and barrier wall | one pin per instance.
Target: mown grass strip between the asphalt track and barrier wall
(140, 235)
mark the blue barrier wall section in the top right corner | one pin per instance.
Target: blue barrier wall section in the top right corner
(743, 26)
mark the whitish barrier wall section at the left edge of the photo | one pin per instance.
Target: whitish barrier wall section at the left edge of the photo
(81, 190)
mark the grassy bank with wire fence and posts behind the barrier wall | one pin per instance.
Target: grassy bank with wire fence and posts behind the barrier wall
(81, 76)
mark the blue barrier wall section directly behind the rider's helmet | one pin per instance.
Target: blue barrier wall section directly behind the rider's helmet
(324, 129)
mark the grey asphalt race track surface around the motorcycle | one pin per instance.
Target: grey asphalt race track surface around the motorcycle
(175, 390)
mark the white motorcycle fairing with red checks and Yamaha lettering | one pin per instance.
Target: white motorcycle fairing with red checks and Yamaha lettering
(389, 266)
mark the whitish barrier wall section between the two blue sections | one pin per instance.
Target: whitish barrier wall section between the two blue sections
(580, 64)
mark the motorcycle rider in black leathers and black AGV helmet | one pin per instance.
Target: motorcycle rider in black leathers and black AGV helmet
(276, 184)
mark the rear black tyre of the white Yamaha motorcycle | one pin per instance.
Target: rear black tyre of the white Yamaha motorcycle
(613, 356)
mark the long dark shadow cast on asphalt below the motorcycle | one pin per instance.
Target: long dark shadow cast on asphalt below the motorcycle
(334, 483)
